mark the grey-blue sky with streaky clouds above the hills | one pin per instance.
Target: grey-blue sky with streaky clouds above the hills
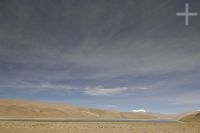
(112, 54)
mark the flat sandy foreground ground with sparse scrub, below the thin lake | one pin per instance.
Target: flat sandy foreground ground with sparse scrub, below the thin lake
(97, 127)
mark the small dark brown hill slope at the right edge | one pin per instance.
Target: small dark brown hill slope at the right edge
(194, 117)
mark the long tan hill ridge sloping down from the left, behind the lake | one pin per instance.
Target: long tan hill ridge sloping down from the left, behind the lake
(29, 109)
